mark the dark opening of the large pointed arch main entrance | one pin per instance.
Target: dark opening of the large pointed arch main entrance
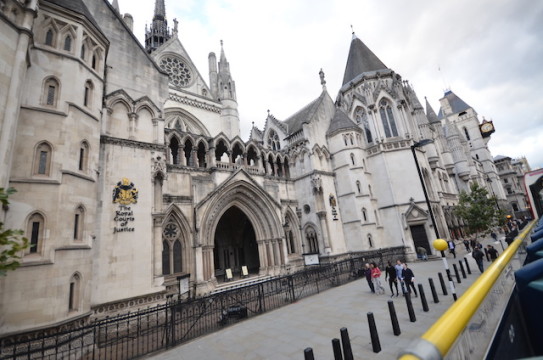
(235, 244)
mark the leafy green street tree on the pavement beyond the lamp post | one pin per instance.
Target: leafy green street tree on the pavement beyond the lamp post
(479, 211)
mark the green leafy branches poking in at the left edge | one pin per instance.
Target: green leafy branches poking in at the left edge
(12, 242)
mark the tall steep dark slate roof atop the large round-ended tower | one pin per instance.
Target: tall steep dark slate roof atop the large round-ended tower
(360, 60)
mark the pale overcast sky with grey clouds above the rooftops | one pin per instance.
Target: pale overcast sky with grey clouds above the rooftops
(490, 53)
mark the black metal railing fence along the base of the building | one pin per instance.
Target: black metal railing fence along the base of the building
(136, 334)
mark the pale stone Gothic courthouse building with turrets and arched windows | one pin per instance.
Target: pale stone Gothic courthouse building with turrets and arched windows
(133, 181)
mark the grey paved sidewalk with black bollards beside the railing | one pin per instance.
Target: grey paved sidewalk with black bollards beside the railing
(314, 321)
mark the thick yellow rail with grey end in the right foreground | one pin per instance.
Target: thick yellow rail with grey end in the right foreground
(442, 335)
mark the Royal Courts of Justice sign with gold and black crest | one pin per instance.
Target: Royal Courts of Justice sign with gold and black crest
(124, 194)
